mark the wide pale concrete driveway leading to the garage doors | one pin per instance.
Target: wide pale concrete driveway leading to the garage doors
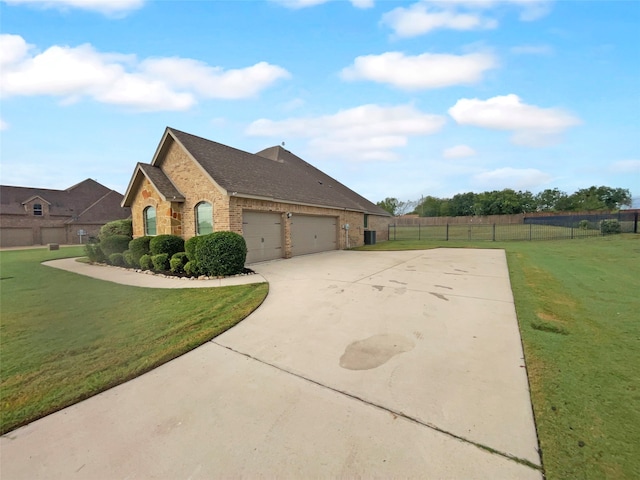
(358, 364)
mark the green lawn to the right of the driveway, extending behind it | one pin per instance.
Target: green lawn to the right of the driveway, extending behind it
(578, 306)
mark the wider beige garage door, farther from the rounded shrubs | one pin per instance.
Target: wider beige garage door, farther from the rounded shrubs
(313, 234)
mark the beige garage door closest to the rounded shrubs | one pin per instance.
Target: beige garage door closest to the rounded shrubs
(263, 233)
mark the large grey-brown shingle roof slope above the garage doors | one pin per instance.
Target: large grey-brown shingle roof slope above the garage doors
(274, 173)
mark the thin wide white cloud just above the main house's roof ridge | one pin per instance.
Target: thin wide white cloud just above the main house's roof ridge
(367, 132)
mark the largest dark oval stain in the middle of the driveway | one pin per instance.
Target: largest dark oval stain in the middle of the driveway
(374, 351)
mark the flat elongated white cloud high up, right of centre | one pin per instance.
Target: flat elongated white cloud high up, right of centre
(421, 71)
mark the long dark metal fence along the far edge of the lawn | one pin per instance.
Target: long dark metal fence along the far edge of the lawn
(499, 233)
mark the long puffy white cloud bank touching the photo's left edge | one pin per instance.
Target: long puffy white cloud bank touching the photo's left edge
(154, 84)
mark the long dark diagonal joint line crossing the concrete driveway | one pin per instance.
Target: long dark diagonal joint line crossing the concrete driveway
(397, 413)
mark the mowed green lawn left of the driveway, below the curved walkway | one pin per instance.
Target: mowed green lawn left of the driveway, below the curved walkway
(65, 337)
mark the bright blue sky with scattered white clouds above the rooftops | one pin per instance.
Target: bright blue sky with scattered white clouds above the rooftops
(393, 99)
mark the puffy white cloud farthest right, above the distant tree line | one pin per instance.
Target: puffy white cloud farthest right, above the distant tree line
(531, 125)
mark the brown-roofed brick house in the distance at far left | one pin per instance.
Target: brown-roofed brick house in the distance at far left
(38, 216)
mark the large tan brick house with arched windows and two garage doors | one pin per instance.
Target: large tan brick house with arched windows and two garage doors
(282, 205)
